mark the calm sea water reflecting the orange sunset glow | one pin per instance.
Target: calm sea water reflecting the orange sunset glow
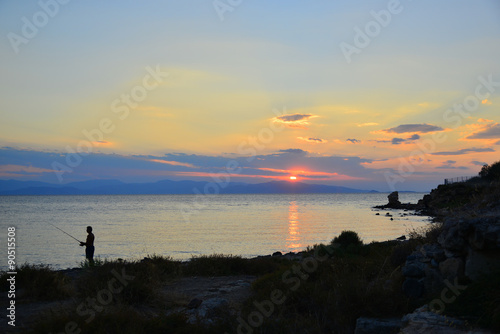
(132, 227)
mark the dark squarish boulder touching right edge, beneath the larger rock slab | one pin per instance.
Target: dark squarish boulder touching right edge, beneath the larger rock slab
(481, 262)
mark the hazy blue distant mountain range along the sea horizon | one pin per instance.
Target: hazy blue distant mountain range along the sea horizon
(115, 187)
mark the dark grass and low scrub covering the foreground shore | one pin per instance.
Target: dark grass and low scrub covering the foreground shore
(325, 292)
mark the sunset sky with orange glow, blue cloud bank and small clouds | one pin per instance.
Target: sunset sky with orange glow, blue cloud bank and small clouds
(383, 95)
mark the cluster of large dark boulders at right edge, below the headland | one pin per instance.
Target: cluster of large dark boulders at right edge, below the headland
(466, 250)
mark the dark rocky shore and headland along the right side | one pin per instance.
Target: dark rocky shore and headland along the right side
(463, 252)
